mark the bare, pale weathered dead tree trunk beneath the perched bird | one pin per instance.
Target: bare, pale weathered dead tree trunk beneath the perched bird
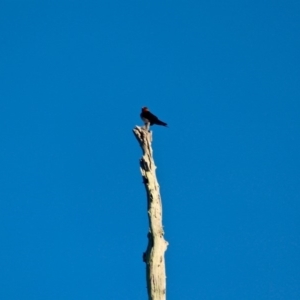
(157, 245)
